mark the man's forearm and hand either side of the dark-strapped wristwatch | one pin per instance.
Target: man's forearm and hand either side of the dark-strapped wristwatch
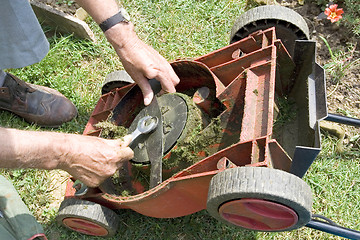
(140, 60)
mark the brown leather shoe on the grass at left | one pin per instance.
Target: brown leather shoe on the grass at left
(36, 104)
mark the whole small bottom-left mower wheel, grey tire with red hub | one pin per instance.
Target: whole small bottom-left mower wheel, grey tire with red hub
(87, 217)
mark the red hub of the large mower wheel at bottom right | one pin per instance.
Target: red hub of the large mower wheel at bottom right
(258, 214)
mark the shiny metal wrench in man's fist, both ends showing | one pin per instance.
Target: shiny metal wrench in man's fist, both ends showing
(145, 125)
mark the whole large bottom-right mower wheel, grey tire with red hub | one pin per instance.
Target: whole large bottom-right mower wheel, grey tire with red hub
(259, 198)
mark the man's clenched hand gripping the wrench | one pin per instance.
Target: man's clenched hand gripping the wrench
(92, 160)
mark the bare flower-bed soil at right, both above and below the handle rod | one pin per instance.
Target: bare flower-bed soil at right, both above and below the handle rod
(343, 95)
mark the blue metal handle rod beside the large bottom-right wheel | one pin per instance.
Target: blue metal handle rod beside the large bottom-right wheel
(333, 229)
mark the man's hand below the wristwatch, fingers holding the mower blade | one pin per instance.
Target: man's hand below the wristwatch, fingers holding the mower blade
(141, 61)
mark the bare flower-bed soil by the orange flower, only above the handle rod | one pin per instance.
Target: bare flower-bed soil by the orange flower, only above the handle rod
(343, 96)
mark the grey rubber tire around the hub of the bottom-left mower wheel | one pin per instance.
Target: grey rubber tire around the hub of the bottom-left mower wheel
(90, 211)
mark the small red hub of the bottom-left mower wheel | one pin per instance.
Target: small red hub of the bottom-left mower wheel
(85, 226)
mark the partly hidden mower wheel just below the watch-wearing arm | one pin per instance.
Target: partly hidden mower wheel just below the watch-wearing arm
(117, 79)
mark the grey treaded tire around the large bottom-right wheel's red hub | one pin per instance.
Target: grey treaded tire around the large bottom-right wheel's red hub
(260, 183)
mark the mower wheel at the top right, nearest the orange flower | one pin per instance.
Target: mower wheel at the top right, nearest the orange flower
(289, 25)
